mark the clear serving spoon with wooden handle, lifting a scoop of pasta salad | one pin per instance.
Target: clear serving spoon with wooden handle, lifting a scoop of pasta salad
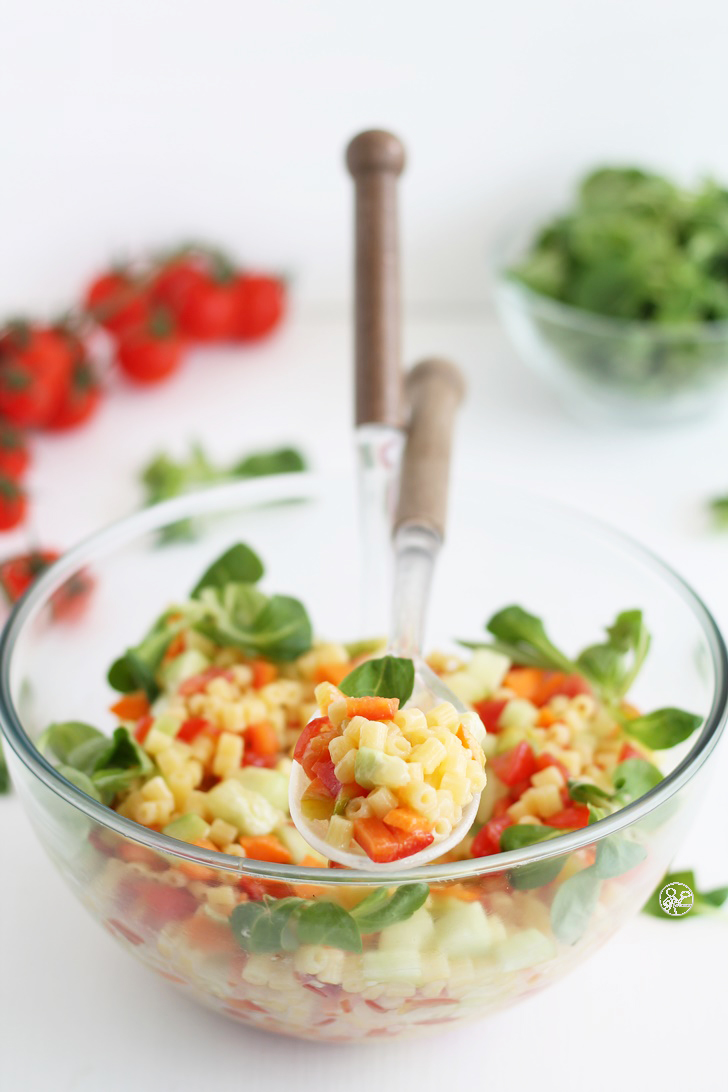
(435, 389)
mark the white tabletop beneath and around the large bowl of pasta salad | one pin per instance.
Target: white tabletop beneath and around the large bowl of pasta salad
(648, 1012)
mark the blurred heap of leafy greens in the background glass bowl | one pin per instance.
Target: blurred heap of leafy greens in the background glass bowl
(636, 247)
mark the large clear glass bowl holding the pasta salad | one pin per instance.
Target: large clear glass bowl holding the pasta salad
(493, 930)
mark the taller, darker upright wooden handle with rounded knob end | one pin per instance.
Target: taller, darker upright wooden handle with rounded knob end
(376, 159)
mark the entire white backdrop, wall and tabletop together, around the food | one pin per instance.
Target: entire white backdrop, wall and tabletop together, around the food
(126, 125)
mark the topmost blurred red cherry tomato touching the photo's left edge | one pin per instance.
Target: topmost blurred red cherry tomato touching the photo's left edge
(35, 365)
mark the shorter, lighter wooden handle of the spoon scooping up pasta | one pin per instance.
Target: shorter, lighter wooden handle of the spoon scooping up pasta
(435, 389)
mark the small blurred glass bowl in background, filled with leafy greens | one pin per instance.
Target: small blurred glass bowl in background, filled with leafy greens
(638, 373)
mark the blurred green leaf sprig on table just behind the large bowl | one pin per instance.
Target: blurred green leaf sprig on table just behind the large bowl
(165, 478)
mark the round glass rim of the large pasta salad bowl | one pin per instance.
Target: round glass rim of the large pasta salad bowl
(302, 486)
